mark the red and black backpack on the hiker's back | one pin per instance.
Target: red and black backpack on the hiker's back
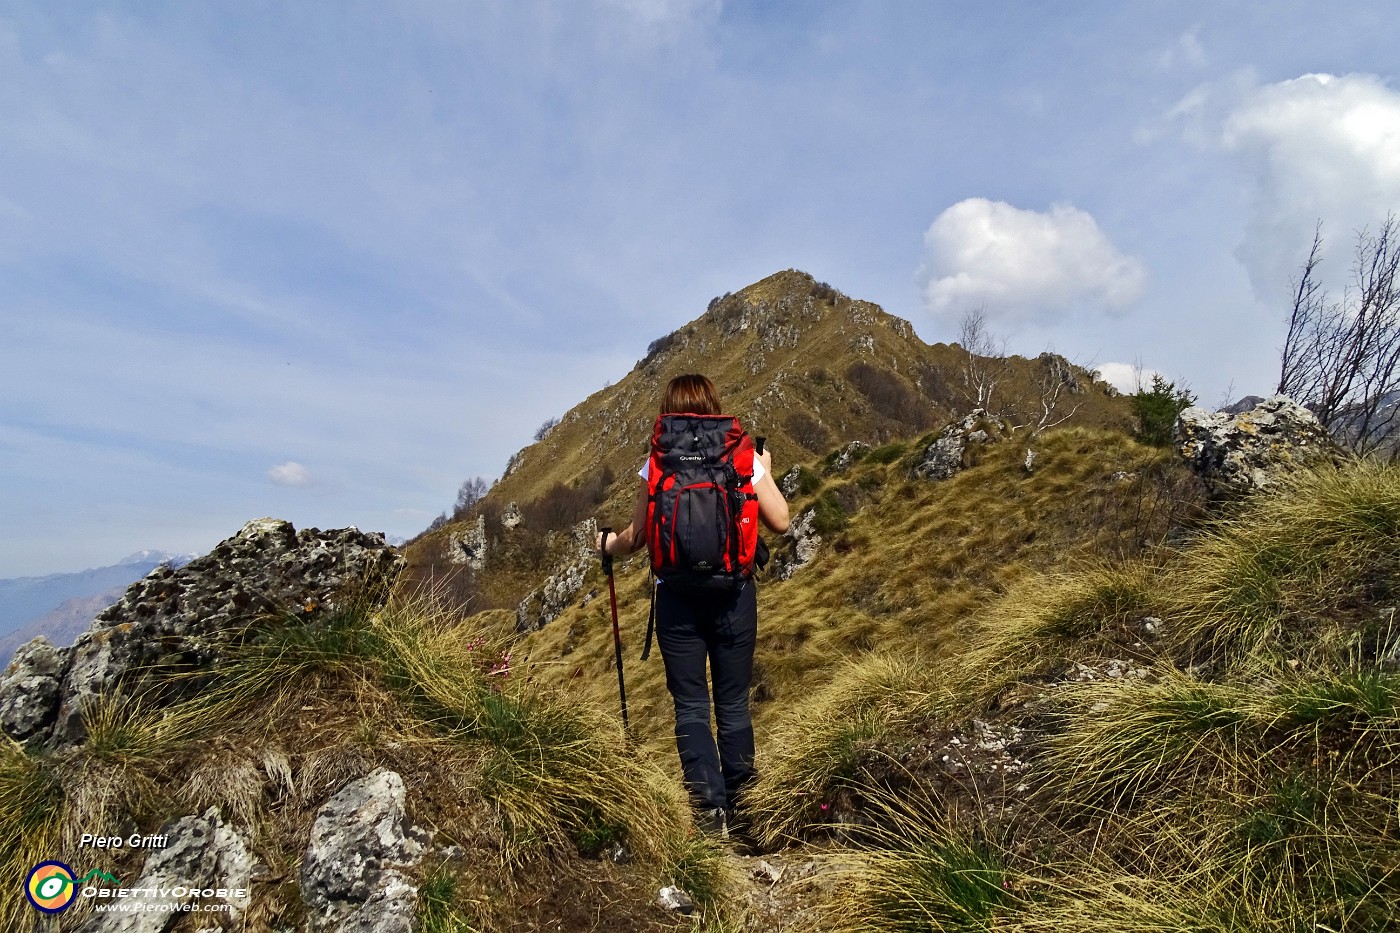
(702, 511)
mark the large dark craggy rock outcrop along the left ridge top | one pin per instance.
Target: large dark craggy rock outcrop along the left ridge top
(185, 621)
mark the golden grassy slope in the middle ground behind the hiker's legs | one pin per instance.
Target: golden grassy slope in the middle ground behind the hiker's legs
(909, 567)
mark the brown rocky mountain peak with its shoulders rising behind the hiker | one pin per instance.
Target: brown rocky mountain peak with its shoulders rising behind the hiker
(797, 361)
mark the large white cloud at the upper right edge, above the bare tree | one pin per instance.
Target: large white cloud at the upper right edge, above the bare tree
(1312, 149)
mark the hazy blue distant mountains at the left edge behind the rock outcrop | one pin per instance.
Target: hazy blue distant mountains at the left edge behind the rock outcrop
(59, 606)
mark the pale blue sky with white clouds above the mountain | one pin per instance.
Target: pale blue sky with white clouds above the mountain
(328, 261)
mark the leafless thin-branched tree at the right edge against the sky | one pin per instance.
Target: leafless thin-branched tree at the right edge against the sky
(1342, 359)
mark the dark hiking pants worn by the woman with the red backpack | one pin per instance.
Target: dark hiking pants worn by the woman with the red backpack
(720, 627)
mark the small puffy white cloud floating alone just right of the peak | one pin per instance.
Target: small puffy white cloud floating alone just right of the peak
(1024, 264)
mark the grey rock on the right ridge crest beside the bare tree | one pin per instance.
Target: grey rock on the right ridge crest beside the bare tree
(1240, 453)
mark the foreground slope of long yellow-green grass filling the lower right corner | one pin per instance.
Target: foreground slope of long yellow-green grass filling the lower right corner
(1212, 740)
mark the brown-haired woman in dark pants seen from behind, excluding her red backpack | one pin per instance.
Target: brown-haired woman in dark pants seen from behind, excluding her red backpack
(717, 623)
